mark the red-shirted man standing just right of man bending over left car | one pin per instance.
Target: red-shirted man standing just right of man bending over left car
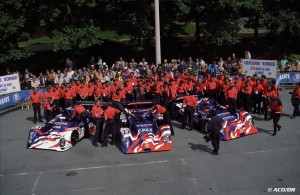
(97, 114)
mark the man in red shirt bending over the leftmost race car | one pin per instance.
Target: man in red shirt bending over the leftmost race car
(80, 111)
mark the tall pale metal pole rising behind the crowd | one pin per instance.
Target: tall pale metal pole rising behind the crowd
(157, 33)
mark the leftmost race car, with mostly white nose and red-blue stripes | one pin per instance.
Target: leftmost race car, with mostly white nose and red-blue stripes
(58, 134)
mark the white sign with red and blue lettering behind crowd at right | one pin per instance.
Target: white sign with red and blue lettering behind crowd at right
(260, 67)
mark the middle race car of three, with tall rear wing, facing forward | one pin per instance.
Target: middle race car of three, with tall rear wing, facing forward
(144, 132)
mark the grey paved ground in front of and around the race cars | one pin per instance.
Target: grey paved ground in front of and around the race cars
(248, 165)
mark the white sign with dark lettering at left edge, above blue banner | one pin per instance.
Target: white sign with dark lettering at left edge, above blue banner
(9, 84)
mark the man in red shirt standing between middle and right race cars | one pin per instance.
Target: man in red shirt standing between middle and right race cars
(191, 102)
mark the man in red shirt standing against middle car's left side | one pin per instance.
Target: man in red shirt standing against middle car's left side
(109, 117)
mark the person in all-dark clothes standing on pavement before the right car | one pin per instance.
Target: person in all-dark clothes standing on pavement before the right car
(214, 126)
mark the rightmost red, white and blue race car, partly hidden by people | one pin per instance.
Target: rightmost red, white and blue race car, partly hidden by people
(234, 126)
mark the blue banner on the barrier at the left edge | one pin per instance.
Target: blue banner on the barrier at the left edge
(14, 98)
